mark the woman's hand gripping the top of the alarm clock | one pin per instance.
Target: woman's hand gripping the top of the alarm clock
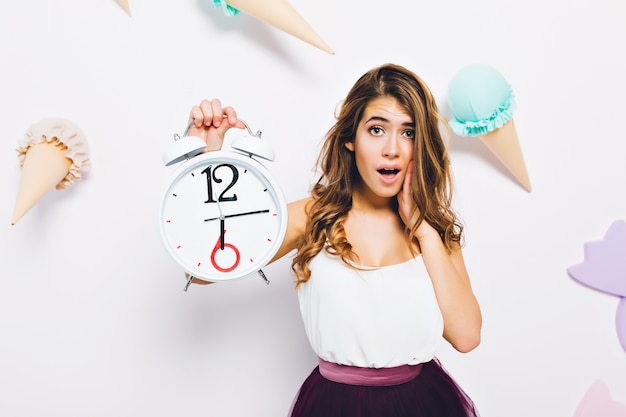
(211, 121)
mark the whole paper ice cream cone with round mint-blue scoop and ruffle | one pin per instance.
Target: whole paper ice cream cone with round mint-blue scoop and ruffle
(482, 105)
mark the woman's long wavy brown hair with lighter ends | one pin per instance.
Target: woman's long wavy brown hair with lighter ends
(332, 193)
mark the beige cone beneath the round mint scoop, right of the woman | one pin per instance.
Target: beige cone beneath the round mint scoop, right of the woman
(504, 144)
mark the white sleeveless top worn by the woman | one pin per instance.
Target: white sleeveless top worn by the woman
(377, 317)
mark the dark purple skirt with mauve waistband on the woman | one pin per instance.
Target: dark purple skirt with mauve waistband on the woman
(424, 390)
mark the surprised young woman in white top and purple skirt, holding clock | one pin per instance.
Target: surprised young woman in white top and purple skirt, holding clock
(379, 270)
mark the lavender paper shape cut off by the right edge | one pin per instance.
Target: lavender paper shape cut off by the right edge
(604, 269)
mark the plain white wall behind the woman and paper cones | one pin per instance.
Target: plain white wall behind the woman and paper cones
(93, 317)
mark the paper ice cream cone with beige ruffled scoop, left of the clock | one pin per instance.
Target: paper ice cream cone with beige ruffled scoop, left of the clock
(52, 155)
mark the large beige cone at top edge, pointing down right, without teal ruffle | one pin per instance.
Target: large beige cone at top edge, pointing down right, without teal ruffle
(280, 14)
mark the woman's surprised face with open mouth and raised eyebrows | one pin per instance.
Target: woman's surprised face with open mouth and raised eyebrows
(383, 147)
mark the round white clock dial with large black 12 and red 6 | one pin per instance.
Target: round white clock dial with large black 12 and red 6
(222, 216)
